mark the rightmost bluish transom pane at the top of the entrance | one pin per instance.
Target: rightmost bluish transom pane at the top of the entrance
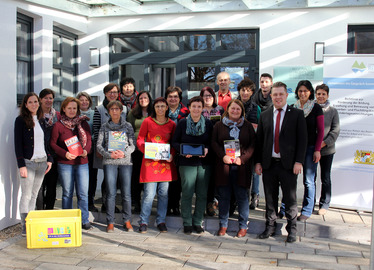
(244, 41)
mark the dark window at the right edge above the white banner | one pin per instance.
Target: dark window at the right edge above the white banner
(361, 39)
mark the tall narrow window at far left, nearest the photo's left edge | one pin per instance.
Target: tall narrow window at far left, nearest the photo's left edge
(24, 56)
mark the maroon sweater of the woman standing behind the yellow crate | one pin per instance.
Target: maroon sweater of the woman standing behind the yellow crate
(58, 136)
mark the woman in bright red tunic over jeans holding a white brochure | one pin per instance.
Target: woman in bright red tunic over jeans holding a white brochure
(156, 174)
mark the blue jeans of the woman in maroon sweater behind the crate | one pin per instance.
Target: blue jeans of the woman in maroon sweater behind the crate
(77, 175)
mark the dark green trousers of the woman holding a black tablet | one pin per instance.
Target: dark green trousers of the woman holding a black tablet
(195, 179)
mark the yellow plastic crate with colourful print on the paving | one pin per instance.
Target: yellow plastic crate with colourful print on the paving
(54, 228)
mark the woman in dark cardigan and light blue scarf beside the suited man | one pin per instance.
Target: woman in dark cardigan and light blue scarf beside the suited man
(233, 141)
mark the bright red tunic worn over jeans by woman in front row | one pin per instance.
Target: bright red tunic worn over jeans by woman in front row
(156, 171)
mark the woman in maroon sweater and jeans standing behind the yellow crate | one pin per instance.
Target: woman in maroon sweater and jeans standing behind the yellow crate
(72, 157)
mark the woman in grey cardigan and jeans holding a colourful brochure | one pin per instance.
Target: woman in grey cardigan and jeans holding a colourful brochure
(115, 143)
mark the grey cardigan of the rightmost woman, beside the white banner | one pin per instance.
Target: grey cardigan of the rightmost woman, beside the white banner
(332, 130)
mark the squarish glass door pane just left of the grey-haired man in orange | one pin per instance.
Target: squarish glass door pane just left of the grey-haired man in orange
(200, 75)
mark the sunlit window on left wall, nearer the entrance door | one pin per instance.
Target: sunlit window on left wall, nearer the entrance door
(64, 62)
